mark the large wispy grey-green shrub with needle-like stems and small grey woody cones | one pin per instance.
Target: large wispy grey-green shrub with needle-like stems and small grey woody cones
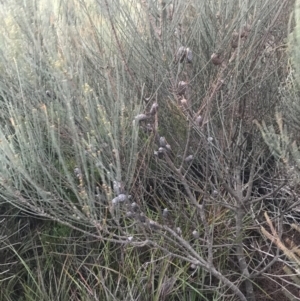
(132, 122)
